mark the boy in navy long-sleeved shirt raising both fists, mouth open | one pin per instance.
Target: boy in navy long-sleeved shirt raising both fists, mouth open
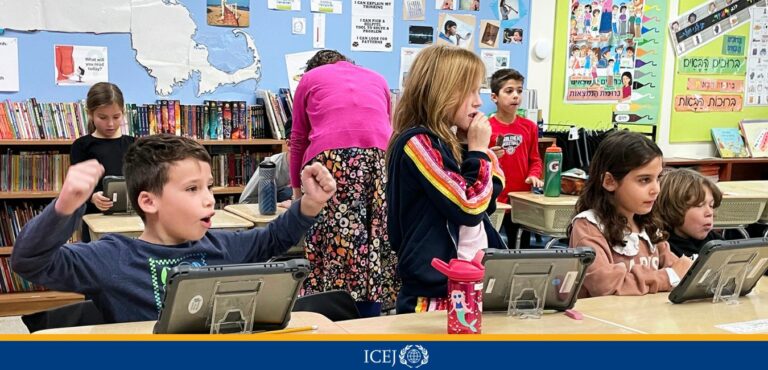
(169, 182)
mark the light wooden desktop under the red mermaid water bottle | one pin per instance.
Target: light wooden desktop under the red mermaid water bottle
(493, 323)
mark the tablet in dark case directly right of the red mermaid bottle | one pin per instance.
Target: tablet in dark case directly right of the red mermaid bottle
(526, 274)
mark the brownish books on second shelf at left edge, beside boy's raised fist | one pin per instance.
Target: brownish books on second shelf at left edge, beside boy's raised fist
(32, 171)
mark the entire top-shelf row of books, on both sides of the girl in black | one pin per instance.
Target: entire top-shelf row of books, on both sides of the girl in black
(213, 120)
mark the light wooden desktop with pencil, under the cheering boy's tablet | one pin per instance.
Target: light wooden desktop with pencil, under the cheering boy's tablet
(298, 319)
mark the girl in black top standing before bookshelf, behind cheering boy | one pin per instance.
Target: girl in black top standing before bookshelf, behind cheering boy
(105, 141)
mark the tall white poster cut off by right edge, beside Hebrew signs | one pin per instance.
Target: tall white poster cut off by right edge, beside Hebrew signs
(757, 59)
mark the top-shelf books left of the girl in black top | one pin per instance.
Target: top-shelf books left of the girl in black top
(32, 120)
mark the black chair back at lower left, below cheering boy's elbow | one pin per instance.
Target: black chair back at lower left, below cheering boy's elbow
(75, 314)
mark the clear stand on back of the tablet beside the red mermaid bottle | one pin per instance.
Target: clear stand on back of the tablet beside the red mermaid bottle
(528, 292)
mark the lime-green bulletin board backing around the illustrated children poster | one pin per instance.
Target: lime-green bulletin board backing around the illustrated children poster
(649, 67)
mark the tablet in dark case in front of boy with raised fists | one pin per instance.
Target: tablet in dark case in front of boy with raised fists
(230, 298)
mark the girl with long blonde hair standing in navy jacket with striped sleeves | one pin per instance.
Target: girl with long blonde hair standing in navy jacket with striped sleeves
(438, 197)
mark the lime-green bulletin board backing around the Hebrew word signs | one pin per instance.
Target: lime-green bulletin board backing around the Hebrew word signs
(697, 126)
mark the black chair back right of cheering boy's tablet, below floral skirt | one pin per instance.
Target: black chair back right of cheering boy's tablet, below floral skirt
(337, 305)
